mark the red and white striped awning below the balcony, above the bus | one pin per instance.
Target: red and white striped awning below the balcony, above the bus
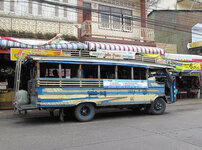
(123, 47)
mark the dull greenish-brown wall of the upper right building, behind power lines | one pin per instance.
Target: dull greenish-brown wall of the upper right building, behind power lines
(174, 27)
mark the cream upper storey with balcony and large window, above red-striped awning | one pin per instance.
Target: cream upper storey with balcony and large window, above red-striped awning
(116, 21)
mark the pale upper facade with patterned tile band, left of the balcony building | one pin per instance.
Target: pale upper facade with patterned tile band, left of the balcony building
(37, 17)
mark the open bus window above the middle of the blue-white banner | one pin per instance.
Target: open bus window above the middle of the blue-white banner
(124, 72)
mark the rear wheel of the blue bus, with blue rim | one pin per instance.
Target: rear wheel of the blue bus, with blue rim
(84, 112)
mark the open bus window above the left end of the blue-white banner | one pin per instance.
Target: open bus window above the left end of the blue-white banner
(107, 72)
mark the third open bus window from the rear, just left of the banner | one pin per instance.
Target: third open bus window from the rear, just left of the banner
(90, 71)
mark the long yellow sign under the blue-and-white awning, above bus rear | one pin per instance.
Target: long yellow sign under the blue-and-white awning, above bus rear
(15, 52)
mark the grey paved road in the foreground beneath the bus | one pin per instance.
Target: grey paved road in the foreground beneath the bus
(180, 128)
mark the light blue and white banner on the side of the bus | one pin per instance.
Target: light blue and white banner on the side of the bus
(112, 83)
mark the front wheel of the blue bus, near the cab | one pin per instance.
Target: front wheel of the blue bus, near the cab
(158, 106)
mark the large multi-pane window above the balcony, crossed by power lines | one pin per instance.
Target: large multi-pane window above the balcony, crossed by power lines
(115, 18)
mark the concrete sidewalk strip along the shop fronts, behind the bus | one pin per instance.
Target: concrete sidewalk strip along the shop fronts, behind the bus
(9, 114)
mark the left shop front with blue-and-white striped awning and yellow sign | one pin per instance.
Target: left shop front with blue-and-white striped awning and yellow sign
(9, 51)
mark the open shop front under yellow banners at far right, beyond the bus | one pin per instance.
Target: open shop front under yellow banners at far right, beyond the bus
(188, 76)
